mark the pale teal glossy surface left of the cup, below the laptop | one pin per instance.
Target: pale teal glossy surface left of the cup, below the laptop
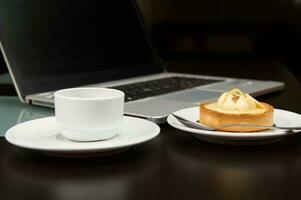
(12, 112)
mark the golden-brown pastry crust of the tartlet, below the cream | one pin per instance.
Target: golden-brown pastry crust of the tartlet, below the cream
(215, 119)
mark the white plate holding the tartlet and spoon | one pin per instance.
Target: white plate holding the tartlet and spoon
(281, 118)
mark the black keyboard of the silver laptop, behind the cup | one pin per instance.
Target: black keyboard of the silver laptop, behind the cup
(156, 87)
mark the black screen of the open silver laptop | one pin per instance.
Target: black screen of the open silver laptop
(54, 44)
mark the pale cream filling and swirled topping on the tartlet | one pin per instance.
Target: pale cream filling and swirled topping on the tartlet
(235, 101)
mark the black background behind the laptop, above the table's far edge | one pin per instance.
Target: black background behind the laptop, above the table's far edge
(225, 31)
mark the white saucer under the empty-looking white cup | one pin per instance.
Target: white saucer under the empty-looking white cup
(43, 135)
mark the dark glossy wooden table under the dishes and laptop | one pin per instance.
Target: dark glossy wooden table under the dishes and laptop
(173, 165)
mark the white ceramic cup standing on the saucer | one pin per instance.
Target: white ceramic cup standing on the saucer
(89, 114)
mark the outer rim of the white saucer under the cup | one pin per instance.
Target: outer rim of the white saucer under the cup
(141, 139)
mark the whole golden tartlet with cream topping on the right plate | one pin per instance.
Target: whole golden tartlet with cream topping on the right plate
(236, 107)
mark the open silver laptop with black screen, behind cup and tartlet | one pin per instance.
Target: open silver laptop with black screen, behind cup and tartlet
(53, 44)
